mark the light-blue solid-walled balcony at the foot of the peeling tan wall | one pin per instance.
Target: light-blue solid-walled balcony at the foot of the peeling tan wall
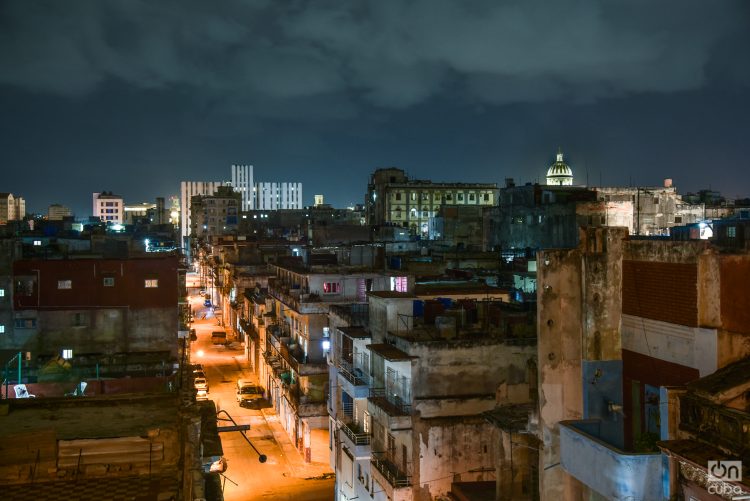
(613, 473)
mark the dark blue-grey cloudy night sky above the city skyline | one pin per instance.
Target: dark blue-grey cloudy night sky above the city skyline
(134, 96)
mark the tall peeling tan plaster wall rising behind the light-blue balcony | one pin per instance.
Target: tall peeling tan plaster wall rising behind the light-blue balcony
(579, 324)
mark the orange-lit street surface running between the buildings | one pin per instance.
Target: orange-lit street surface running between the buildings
(284, 476)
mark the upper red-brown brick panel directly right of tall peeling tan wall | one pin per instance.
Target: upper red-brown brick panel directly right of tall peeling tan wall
(661, 291)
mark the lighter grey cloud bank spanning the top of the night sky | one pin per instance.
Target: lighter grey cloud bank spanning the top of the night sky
(389, 54)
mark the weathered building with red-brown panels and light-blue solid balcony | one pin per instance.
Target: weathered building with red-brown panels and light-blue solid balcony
(621, 322)
